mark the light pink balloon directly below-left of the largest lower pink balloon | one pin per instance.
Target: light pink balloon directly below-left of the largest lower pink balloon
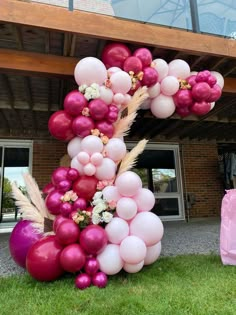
(133, 250)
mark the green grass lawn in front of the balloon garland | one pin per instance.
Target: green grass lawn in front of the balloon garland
(193, 285)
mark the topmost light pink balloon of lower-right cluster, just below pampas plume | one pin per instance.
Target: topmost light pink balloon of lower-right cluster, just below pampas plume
(128, 184)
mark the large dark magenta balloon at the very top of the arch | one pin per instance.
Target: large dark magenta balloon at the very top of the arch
(115, 54)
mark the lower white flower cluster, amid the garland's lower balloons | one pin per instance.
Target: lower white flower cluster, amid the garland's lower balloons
(99, 213)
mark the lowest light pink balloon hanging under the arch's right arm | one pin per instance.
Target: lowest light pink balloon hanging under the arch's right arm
(162, 106)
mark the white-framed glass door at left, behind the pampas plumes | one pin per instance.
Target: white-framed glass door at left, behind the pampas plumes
(16, 158)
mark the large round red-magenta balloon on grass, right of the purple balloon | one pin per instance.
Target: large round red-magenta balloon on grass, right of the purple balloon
(43, 259)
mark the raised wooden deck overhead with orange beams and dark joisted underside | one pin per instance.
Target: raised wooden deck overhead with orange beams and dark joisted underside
(41, 44)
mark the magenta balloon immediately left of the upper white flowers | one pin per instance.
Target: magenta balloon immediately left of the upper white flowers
(74, 103)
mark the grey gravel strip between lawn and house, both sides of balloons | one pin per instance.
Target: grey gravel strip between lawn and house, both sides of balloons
(196, 237)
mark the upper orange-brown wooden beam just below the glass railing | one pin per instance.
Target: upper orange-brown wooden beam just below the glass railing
(112, 28)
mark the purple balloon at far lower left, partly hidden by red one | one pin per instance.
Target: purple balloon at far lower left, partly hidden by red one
(21, 239)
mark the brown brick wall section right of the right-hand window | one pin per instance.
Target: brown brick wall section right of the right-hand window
(200, 175)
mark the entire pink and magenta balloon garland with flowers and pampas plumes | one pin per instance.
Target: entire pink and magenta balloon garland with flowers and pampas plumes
(95, 219)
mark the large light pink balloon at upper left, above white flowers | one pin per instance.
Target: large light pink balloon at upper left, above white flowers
(90, 70)
